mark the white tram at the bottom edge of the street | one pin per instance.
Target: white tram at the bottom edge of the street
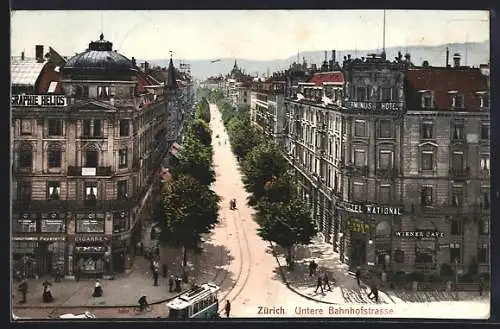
(198, 302)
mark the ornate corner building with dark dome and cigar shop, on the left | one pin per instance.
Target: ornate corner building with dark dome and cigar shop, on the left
(84, 158)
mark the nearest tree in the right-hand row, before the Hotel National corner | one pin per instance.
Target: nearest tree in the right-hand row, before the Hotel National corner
(287, 224)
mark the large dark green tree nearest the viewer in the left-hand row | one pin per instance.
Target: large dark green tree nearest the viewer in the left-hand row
(190, 210)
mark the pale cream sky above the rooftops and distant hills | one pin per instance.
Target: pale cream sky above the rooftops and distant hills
(249, 34)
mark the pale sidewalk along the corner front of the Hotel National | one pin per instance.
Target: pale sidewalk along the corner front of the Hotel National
(343, 282)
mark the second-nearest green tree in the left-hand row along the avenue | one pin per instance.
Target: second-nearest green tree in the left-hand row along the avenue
(195, 160)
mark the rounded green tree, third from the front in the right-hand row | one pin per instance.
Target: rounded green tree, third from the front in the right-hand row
(262, 164)
